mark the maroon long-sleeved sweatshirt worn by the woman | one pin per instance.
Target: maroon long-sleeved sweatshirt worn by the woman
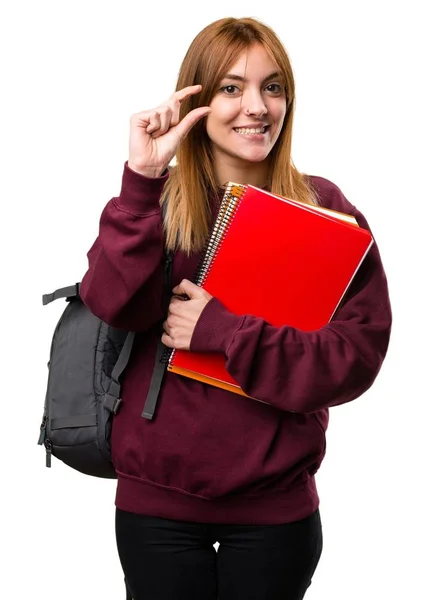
(210, 455)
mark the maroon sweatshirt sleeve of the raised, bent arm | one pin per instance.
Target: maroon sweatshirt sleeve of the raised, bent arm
(124, 282)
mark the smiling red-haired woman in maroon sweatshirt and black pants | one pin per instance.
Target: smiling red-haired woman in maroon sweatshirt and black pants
(213, 466)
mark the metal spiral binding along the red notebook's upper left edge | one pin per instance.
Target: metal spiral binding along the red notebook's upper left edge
(230, 203)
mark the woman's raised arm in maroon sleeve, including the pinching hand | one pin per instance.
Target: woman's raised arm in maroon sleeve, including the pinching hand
(124, 283)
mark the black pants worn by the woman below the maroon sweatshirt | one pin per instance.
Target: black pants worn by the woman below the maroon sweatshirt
(176, 560)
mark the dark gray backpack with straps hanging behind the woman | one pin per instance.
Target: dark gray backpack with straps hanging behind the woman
(87, 360)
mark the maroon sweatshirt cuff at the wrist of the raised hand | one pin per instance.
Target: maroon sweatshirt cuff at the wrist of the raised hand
(140, 195)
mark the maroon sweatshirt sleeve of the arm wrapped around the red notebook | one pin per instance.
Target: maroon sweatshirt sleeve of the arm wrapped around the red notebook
(302, 371)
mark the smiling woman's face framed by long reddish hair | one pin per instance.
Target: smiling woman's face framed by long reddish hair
(248, 110)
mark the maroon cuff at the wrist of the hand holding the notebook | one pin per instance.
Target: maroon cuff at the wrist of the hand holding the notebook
(215, 328)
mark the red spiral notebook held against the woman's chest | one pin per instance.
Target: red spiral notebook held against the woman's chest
(284, 261)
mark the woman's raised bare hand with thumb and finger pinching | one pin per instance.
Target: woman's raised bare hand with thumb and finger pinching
(156, 134)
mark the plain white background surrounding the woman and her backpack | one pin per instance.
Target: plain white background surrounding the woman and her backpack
(369, 103)
